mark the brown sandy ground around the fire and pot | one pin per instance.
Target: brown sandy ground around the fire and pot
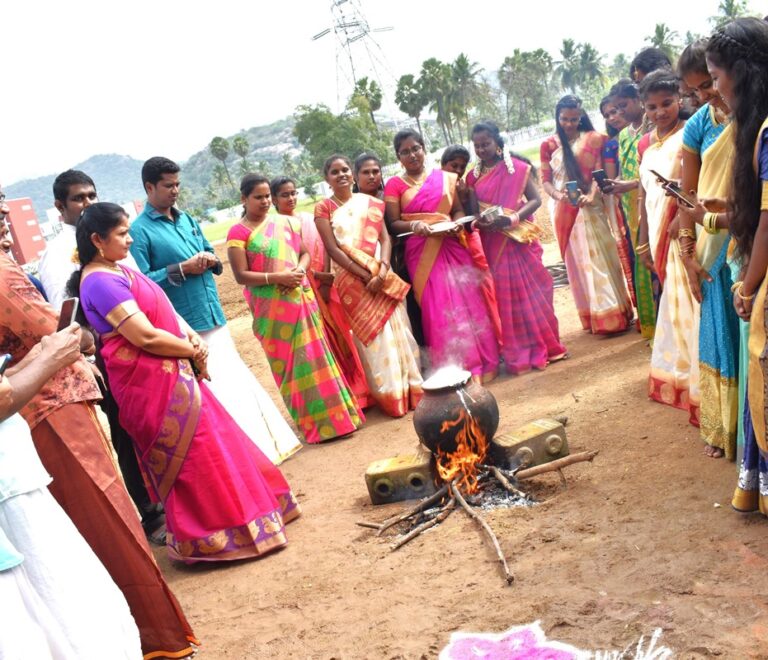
(642, 538)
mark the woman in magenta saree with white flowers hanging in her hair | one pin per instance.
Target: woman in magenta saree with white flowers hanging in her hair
(530, 329)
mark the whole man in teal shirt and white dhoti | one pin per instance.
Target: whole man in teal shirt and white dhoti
(170, 249)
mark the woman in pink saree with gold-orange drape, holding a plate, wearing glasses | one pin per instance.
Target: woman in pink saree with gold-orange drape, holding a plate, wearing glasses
(446, 264)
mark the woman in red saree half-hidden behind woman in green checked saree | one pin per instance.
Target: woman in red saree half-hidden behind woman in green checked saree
(336, 328)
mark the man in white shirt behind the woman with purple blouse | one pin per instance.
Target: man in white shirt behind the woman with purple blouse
(73, 191)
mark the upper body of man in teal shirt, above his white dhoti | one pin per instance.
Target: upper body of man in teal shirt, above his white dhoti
(169, 248)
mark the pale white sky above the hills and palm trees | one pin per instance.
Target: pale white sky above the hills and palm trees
(162, 77)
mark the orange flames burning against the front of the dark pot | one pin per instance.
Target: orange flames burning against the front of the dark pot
(471, 449)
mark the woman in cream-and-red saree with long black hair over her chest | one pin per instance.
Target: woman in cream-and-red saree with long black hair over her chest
(587, 240)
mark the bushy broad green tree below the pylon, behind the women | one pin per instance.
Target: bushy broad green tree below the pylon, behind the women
(321, 133)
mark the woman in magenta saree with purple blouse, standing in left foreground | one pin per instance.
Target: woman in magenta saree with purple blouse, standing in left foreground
(223, 498)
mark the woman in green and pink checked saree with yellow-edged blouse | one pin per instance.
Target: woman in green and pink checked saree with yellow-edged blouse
(267, 256)
